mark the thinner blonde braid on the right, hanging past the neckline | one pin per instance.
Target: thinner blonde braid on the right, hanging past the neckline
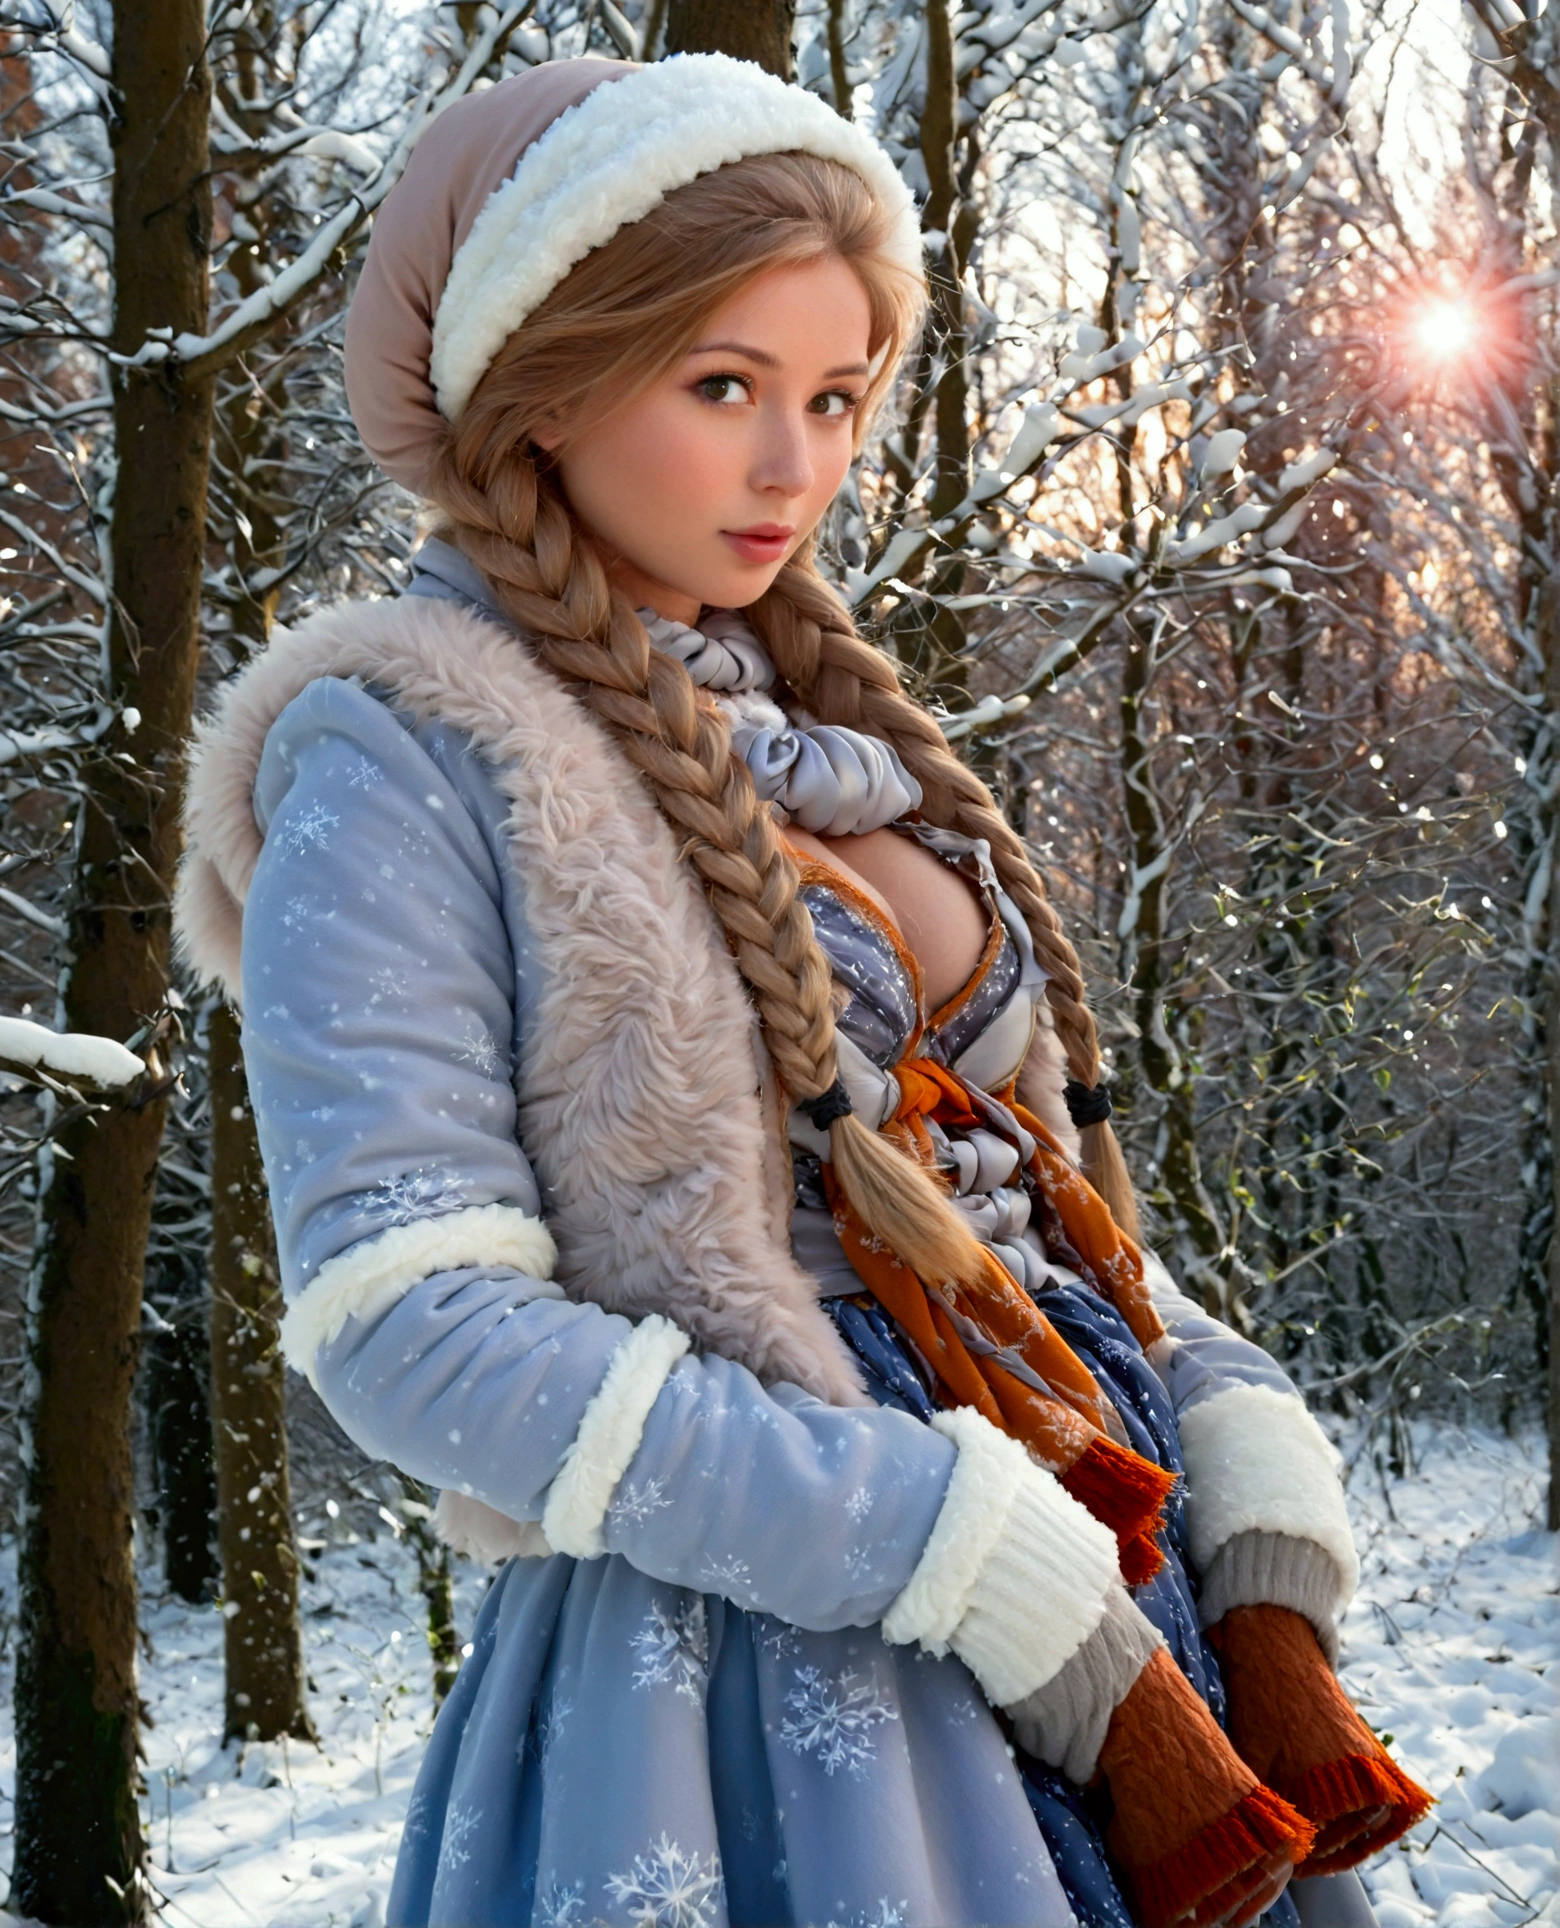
(844, 680)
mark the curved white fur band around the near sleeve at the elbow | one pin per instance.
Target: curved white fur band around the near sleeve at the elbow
(375, 1273)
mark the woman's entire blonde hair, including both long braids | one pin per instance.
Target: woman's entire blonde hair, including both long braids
(616, 323)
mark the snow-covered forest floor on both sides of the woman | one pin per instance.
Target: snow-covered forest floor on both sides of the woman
(1453, 1649)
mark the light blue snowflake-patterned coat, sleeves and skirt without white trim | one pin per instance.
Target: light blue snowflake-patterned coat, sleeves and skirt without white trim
(703, 1727)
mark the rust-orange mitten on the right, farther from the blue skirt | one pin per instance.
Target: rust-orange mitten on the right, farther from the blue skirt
(1293, 1725)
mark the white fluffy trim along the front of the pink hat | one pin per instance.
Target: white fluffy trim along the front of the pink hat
(608, 163)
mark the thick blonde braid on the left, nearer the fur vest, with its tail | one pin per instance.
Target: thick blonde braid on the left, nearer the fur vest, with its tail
(552, 585)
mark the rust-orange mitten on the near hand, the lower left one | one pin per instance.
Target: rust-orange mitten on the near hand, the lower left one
(1200, 1840)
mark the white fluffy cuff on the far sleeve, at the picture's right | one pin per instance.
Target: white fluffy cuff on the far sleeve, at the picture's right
(1256, 1460)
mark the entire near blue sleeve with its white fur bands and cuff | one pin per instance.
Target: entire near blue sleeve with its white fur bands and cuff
(385, 975)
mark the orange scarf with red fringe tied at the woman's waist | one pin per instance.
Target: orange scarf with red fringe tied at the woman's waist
(990, 1347)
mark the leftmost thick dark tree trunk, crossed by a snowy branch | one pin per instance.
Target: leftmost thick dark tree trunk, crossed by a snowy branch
(78, 1836)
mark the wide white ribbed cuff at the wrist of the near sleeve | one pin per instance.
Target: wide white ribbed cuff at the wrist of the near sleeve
(1015, 1572)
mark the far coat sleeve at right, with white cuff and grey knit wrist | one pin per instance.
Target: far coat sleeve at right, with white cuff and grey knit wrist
(1264, 1499)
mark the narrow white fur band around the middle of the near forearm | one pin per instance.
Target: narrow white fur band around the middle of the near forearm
(608, 1437)
